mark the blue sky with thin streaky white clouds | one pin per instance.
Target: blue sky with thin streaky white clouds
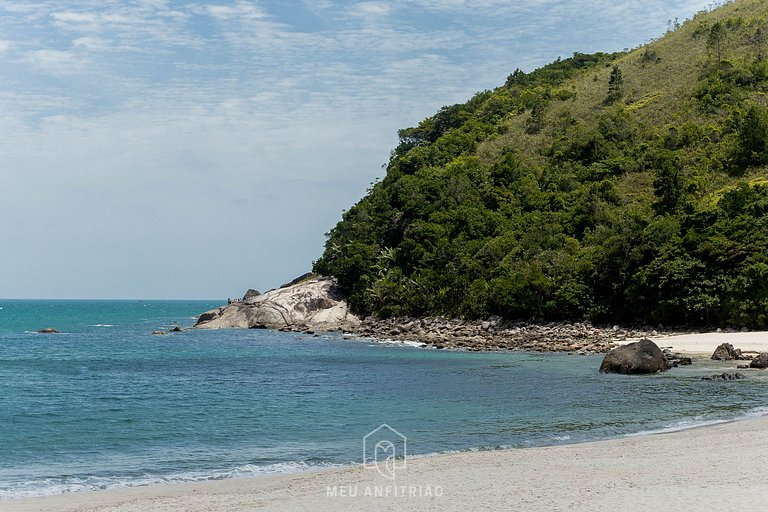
(177, 150)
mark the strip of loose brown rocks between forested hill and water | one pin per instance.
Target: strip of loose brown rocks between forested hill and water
(495, 334)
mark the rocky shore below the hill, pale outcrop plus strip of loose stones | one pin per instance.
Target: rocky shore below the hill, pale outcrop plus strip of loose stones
(313, 304)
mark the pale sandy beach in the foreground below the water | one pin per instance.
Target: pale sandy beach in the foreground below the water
(683, 470)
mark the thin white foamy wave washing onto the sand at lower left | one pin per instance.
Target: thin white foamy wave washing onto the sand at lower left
(57, 486)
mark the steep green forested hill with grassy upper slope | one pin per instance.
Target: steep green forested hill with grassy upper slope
(613, 187)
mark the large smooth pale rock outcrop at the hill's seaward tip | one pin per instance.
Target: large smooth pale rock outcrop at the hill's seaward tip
(314, 304)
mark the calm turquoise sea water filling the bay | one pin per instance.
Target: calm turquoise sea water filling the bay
(106, 404)
